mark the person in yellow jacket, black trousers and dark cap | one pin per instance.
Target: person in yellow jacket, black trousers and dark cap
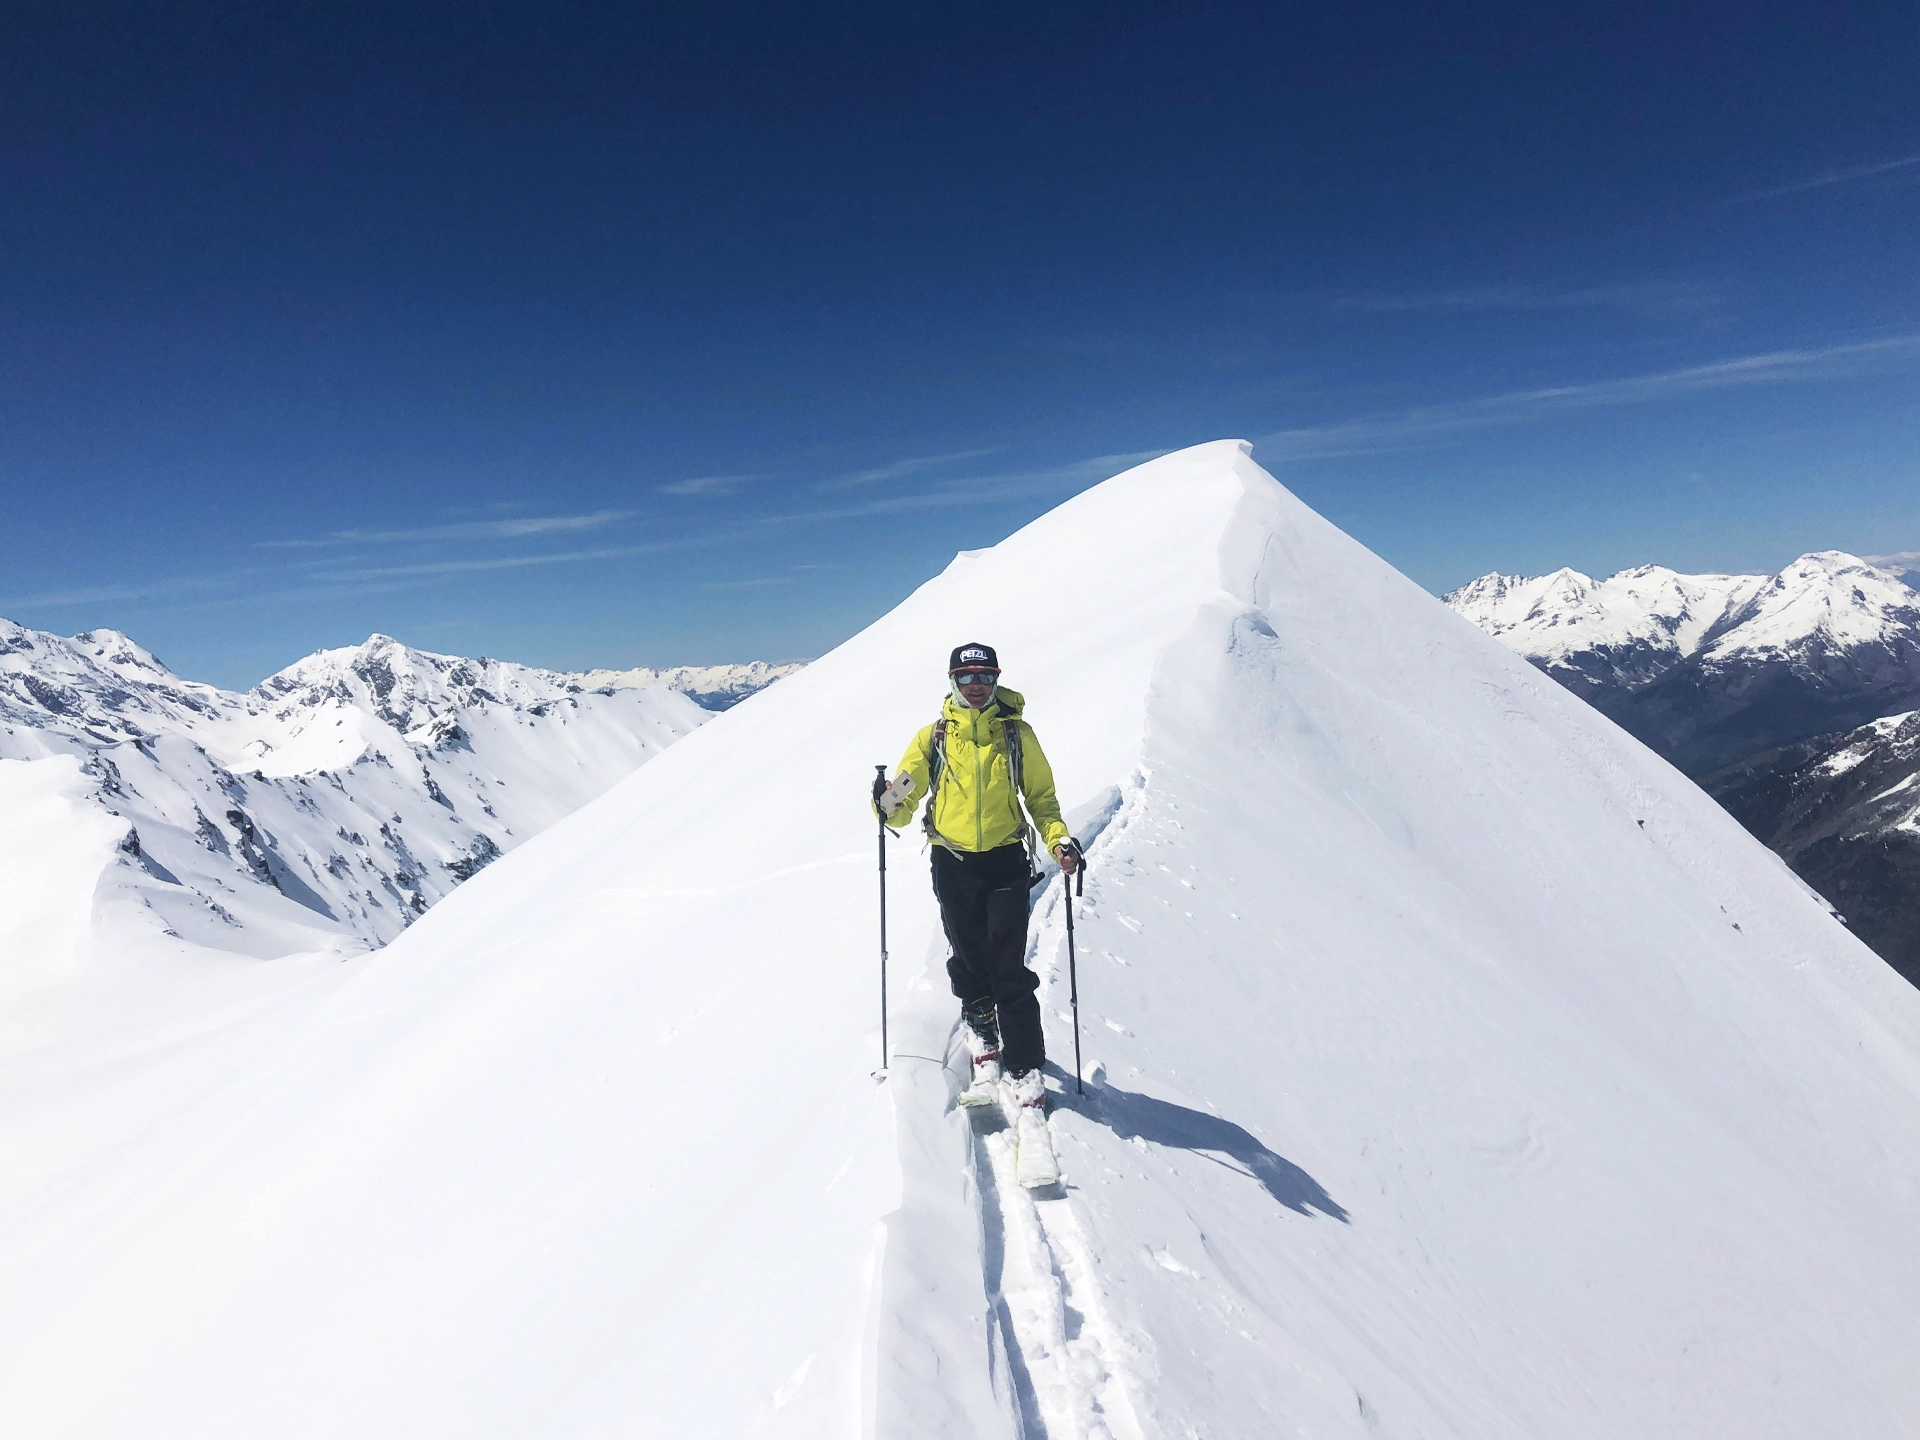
(982, 861)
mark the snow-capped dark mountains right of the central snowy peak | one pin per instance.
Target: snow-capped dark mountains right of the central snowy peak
(1790, 698)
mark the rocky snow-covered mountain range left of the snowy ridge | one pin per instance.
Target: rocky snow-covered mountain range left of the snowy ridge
(327, 807)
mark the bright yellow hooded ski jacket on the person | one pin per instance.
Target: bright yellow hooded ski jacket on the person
(976, 807)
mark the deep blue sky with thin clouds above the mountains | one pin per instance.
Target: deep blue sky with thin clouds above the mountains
(648, 335)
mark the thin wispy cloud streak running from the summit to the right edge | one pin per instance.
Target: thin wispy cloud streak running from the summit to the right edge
(1424, 423)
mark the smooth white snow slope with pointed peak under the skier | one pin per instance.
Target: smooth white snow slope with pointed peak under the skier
(1466, 1072)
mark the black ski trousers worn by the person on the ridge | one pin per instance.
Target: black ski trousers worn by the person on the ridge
(984, 905)
